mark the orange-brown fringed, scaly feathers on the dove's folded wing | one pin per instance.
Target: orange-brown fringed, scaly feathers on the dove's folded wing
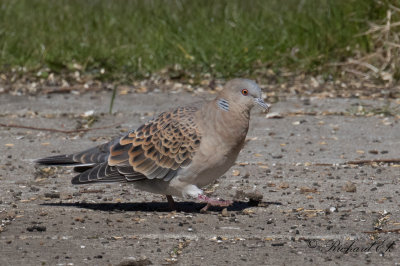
(160, 147)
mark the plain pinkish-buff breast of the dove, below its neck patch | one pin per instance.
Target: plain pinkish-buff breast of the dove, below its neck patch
(222, 137)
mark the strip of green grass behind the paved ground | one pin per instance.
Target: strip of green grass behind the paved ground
(221, 37)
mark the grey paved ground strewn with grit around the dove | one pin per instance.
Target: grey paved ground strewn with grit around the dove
(296, 201)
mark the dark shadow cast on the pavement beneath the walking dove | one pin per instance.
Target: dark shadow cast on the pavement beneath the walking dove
(188, 207)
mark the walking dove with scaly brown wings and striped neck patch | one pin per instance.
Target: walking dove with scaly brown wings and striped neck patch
(177, 152)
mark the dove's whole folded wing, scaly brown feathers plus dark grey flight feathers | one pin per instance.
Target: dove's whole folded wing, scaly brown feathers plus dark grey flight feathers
(157, 149)
